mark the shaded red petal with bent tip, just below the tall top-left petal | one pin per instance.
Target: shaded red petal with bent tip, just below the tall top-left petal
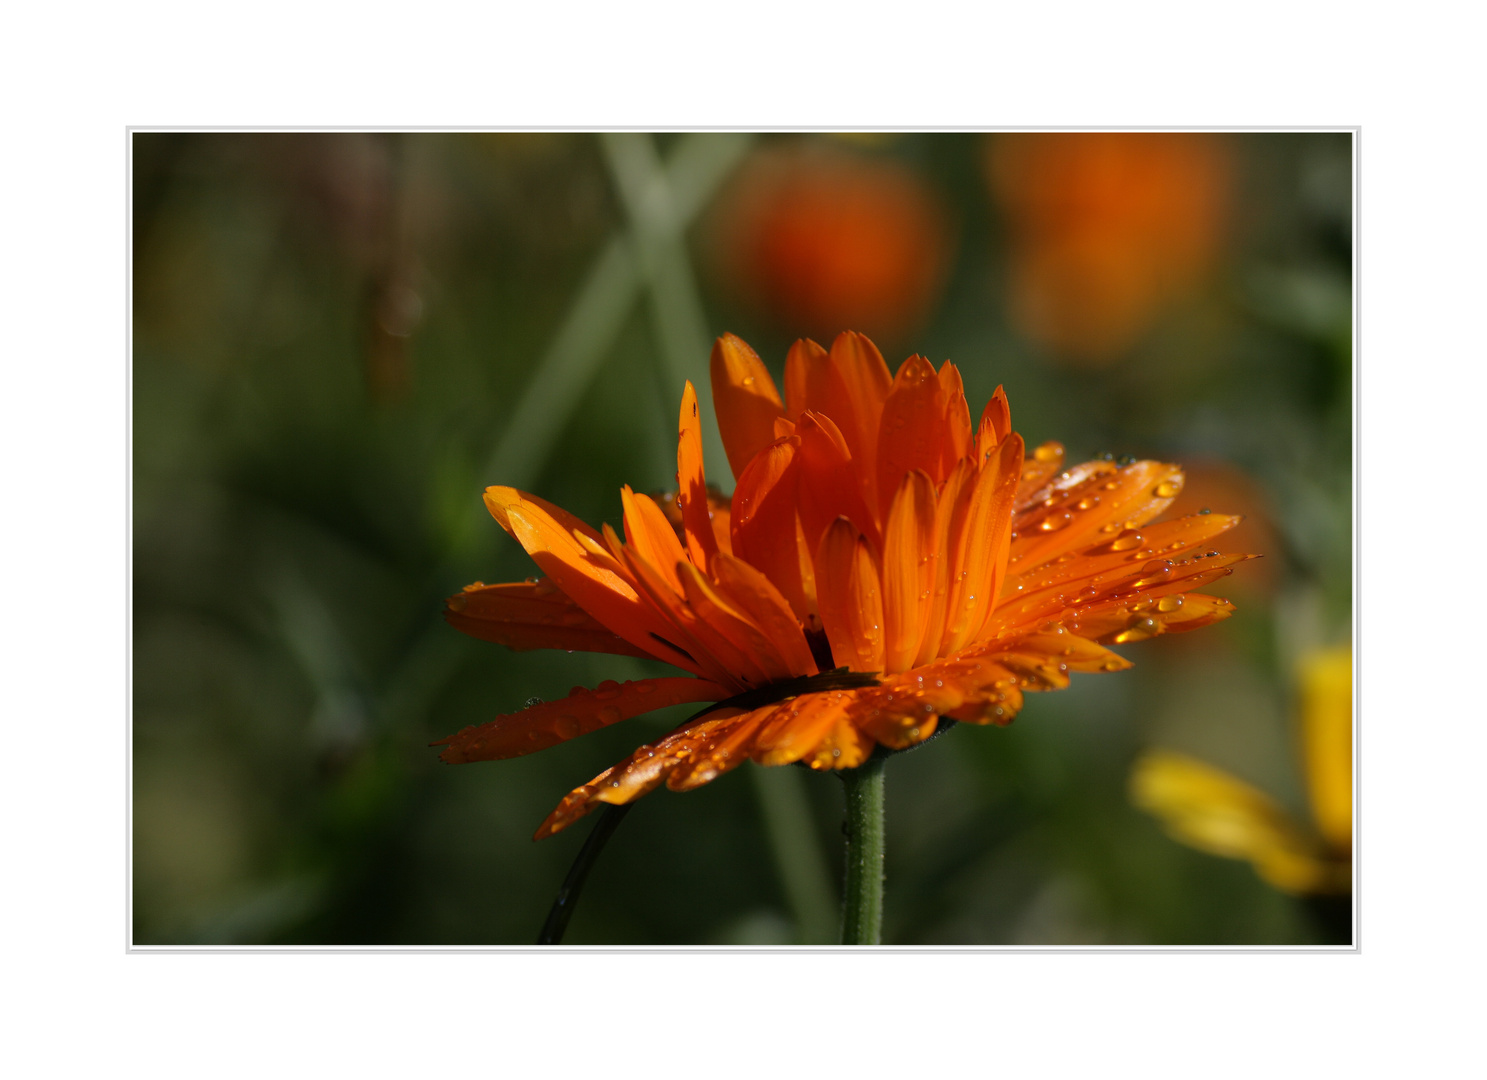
(765, 523)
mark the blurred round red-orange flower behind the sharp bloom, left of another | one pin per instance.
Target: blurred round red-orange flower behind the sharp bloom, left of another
(817, 239)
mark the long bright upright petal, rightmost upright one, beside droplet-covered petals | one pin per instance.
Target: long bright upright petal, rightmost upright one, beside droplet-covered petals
(978, 545)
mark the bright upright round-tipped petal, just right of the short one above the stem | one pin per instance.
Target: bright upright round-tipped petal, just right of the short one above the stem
(908, 570)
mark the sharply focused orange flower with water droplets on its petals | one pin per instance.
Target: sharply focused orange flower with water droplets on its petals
(887, 566)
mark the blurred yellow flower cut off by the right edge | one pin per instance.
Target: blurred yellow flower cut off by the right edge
(1213, 811)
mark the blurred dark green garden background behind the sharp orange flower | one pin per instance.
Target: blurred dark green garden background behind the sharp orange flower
(340, 340)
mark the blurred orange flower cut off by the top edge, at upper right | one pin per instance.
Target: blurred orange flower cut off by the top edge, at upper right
(1106, 231)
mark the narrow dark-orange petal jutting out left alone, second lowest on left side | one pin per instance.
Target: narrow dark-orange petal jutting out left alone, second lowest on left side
(552, 722)
